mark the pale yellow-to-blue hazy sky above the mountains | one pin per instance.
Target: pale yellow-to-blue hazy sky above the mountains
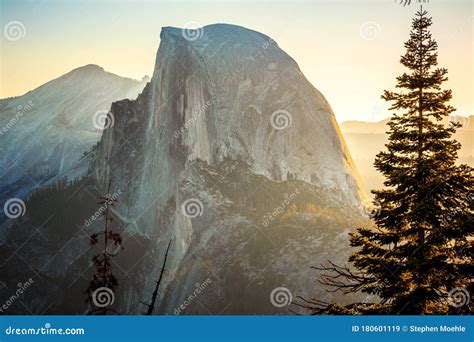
(348, 49)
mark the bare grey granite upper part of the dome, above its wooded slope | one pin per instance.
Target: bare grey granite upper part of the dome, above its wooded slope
(224, 95)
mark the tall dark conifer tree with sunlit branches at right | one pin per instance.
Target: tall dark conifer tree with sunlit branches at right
(418, 258)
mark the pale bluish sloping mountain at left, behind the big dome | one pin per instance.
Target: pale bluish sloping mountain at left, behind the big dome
(45, 132)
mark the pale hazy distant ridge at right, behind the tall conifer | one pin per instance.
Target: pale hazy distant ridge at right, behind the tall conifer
(366, 139)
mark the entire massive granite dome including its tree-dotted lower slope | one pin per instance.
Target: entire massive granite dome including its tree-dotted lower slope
(236, 157)
